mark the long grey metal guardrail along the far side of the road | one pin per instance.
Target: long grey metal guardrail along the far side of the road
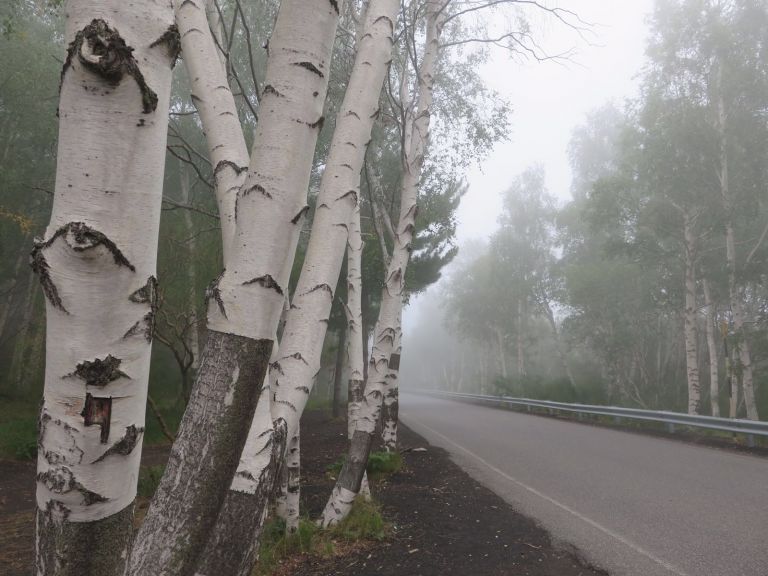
(750, 428)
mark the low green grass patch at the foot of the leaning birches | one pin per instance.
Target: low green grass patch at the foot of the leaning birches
(364, 523)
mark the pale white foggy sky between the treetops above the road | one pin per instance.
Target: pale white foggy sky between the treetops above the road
(549, 100)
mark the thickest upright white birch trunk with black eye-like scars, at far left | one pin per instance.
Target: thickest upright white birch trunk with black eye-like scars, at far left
(96, 265)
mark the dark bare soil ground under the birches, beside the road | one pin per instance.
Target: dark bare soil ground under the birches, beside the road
(442, 521)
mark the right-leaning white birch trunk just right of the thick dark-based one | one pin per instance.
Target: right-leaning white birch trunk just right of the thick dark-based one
(339, 189)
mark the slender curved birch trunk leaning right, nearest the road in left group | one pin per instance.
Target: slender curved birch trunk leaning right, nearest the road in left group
(348, 483)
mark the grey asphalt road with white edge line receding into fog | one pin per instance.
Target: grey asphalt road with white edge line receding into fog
(630, 504)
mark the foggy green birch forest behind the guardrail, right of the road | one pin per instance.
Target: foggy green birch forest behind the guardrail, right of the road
(648, 288)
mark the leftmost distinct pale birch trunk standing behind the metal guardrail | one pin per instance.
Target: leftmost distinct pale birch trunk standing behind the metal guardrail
(689, 320)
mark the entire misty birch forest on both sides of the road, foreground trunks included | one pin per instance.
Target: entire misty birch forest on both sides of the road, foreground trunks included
(215, 215)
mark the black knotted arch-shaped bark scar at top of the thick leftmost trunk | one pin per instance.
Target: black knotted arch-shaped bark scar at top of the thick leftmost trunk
(110, 58)
